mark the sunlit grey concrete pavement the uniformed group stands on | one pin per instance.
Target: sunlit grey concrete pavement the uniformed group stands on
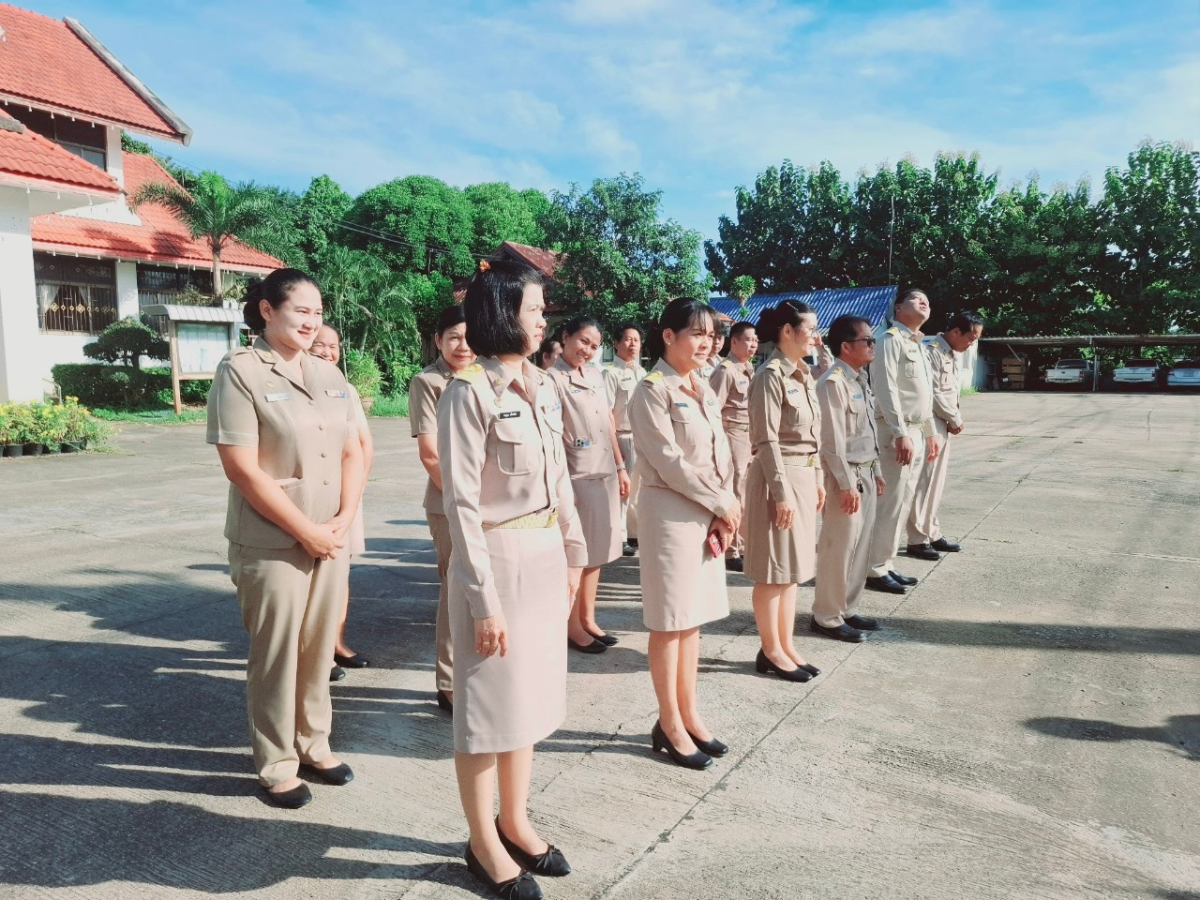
(1025, 727)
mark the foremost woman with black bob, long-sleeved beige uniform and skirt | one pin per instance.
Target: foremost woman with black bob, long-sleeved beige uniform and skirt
(514, 573)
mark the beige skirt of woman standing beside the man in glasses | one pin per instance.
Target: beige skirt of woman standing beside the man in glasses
(781, 556)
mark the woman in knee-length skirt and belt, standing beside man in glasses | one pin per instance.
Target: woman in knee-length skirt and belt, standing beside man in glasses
(784, 490)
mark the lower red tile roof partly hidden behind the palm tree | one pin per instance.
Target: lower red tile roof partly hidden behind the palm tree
(161, 238)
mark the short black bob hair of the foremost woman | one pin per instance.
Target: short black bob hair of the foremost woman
(493, 308)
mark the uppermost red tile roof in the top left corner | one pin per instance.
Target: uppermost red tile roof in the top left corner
(61, 67)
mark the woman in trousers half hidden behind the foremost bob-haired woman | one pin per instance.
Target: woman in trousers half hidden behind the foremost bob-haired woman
(424, 394)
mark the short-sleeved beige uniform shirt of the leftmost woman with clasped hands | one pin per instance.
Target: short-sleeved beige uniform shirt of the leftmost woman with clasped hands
(299, 428)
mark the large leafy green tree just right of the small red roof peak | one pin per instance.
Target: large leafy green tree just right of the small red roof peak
(621, 260)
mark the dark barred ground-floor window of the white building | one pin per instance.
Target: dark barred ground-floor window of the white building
(75, 295)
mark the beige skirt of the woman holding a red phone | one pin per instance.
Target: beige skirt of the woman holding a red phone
(683, 584)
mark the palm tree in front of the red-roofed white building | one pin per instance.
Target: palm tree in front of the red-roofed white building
(214, 212)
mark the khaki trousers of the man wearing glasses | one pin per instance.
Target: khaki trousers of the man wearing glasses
(843, 553)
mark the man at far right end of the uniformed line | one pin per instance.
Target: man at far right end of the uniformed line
(925, 530)
